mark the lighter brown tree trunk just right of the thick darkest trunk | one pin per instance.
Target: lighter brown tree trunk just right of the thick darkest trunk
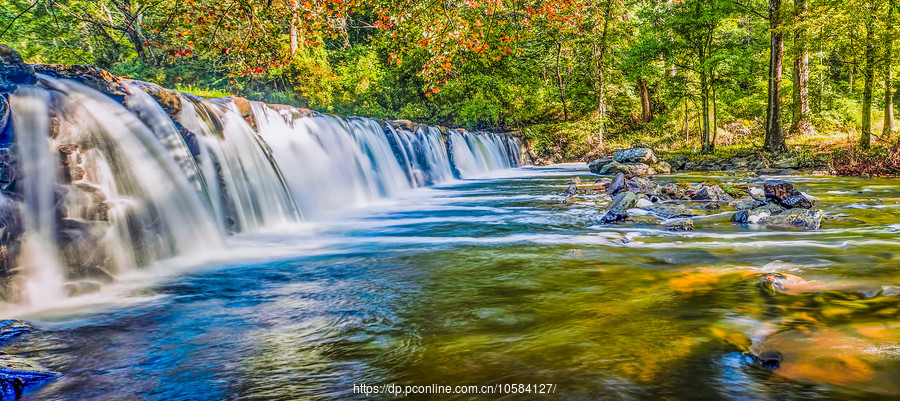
(802, 124)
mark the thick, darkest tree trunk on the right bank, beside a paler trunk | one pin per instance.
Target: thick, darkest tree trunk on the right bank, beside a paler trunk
(774, 133)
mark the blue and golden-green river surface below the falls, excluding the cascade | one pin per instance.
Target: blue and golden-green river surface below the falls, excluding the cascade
(497, 281)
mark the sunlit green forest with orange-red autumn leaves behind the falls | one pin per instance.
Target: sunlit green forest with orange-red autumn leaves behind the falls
(575, 77)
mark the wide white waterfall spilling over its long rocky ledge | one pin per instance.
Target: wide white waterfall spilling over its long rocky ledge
(102, 175)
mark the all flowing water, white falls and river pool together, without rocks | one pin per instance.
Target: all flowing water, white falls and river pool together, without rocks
(429, 279)
